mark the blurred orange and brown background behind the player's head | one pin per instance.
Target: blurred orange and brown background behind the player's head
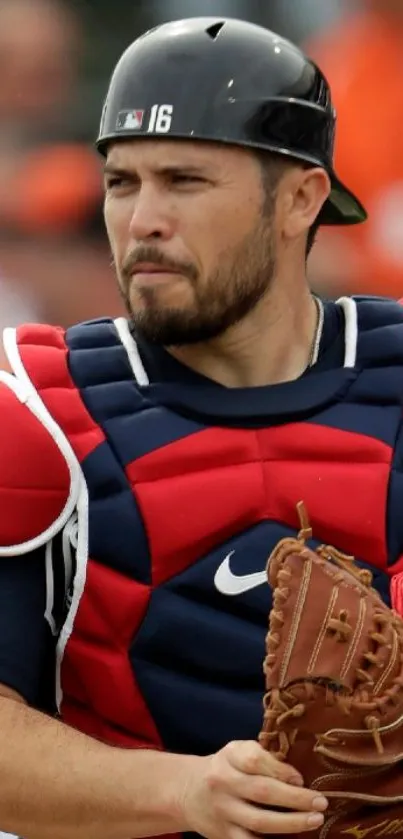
(55, 61)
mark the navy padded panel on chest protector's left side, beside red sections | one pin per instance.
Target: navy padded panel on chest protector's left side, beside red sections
(100, 368)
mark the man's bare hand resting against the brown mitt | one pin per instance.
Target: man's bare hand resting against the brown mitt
(236, 793)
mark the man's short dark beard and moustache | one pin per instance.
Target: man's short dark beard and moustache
(227, 296)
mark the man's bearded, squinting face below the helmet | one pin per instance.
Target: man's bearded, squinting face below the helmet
(191, 234)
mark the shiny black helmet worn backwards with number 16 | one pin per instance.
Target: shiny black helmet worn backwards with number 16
(227, 81)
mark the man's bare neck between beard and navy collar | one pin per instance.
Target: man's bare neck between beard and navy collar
(272, 345)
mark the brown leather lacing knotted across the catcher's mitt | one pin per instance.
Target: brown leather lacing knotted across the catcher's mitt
(280, 705)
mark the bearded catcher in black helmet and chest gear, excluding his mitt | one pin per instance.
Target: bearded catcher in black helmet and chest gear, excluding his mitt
(149, 466)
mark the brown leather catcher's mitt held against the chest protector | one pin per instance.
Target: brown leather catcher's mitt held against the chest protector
(334, 680)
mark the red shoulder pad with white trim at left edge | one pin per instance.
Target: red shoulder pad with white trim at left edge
(35, 479)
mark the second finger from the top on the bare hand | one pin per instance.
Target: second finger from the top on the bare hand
(271, 792)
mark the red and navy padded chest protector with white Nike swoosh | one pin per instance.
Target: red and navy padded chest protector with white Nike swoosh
(175, 515)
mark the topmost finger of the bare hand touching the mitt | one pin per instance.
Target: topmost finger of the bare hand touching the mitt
(249, 757)
